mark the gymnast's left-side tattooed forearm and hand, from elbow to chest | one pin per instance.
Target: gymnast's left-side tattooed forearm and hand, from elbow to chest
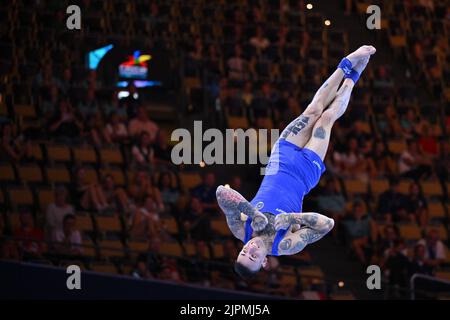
(233, 203)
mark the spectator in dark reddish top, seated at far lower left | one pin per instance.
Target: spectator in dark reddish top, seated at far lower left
(30, 238)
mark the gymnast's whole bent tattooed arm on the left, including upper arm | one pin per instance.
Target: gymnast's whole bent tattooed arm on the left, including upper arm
(232, 204)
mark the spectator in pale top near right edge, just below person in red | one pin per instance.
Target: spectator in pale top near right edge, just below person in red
(412, 163)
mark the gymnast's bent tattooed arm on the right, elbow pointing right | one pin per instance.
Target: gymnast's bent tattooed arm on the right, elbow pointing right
(314, 227)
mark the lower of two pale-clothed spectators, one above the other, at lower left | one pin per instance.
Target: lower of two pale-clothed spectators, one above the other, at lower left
(68, 239)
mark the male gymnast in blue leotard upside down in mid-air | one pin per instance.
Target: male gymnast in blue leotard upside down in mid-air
(273, 222)
